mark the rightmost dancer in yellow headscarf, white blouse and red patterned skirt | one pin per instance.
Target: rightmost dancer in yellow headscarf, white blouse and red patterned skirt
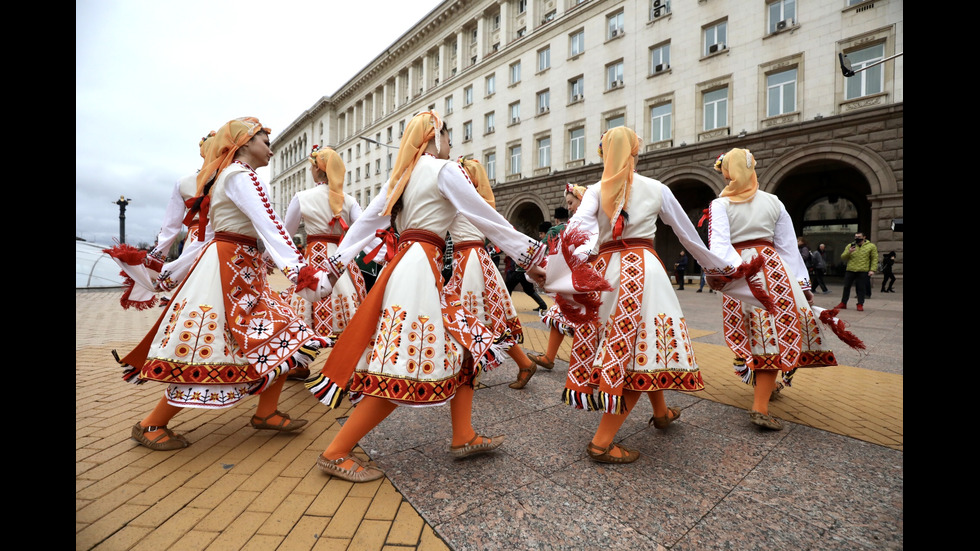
(747, 224)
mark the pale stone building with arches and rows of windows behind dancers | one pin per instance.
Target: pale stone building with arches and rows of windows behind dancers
(528, 87)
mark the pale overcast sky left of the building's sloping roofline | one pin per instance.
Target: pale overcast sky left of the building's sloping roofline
(152, 78)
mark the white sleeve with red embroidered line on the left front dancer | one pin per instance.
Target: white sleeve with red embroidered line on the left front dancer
(278, 243)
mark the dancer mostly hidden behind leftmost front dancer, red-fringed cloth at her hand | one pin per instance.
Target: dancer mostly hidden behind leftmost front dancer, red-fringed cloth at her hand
(147, 273)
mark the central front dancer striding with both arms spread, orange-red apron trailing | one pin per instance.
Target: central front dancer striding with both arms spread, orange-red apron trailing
(409, 343)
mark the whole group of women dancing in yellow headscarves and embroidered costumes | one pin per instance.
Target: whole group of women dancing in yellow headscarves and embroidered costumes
(417, 339)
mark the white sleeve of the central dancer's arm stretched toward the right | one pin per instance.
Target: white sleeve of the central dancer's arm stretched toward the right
(456, 188)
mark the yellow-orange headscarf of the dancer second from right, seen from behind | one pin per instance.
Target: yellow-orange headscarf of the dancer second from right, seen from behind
(617, 150)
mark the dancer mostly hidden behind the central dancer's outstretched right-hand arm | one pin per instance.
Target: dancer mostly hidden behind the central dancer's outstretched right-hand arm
(478, 283)
